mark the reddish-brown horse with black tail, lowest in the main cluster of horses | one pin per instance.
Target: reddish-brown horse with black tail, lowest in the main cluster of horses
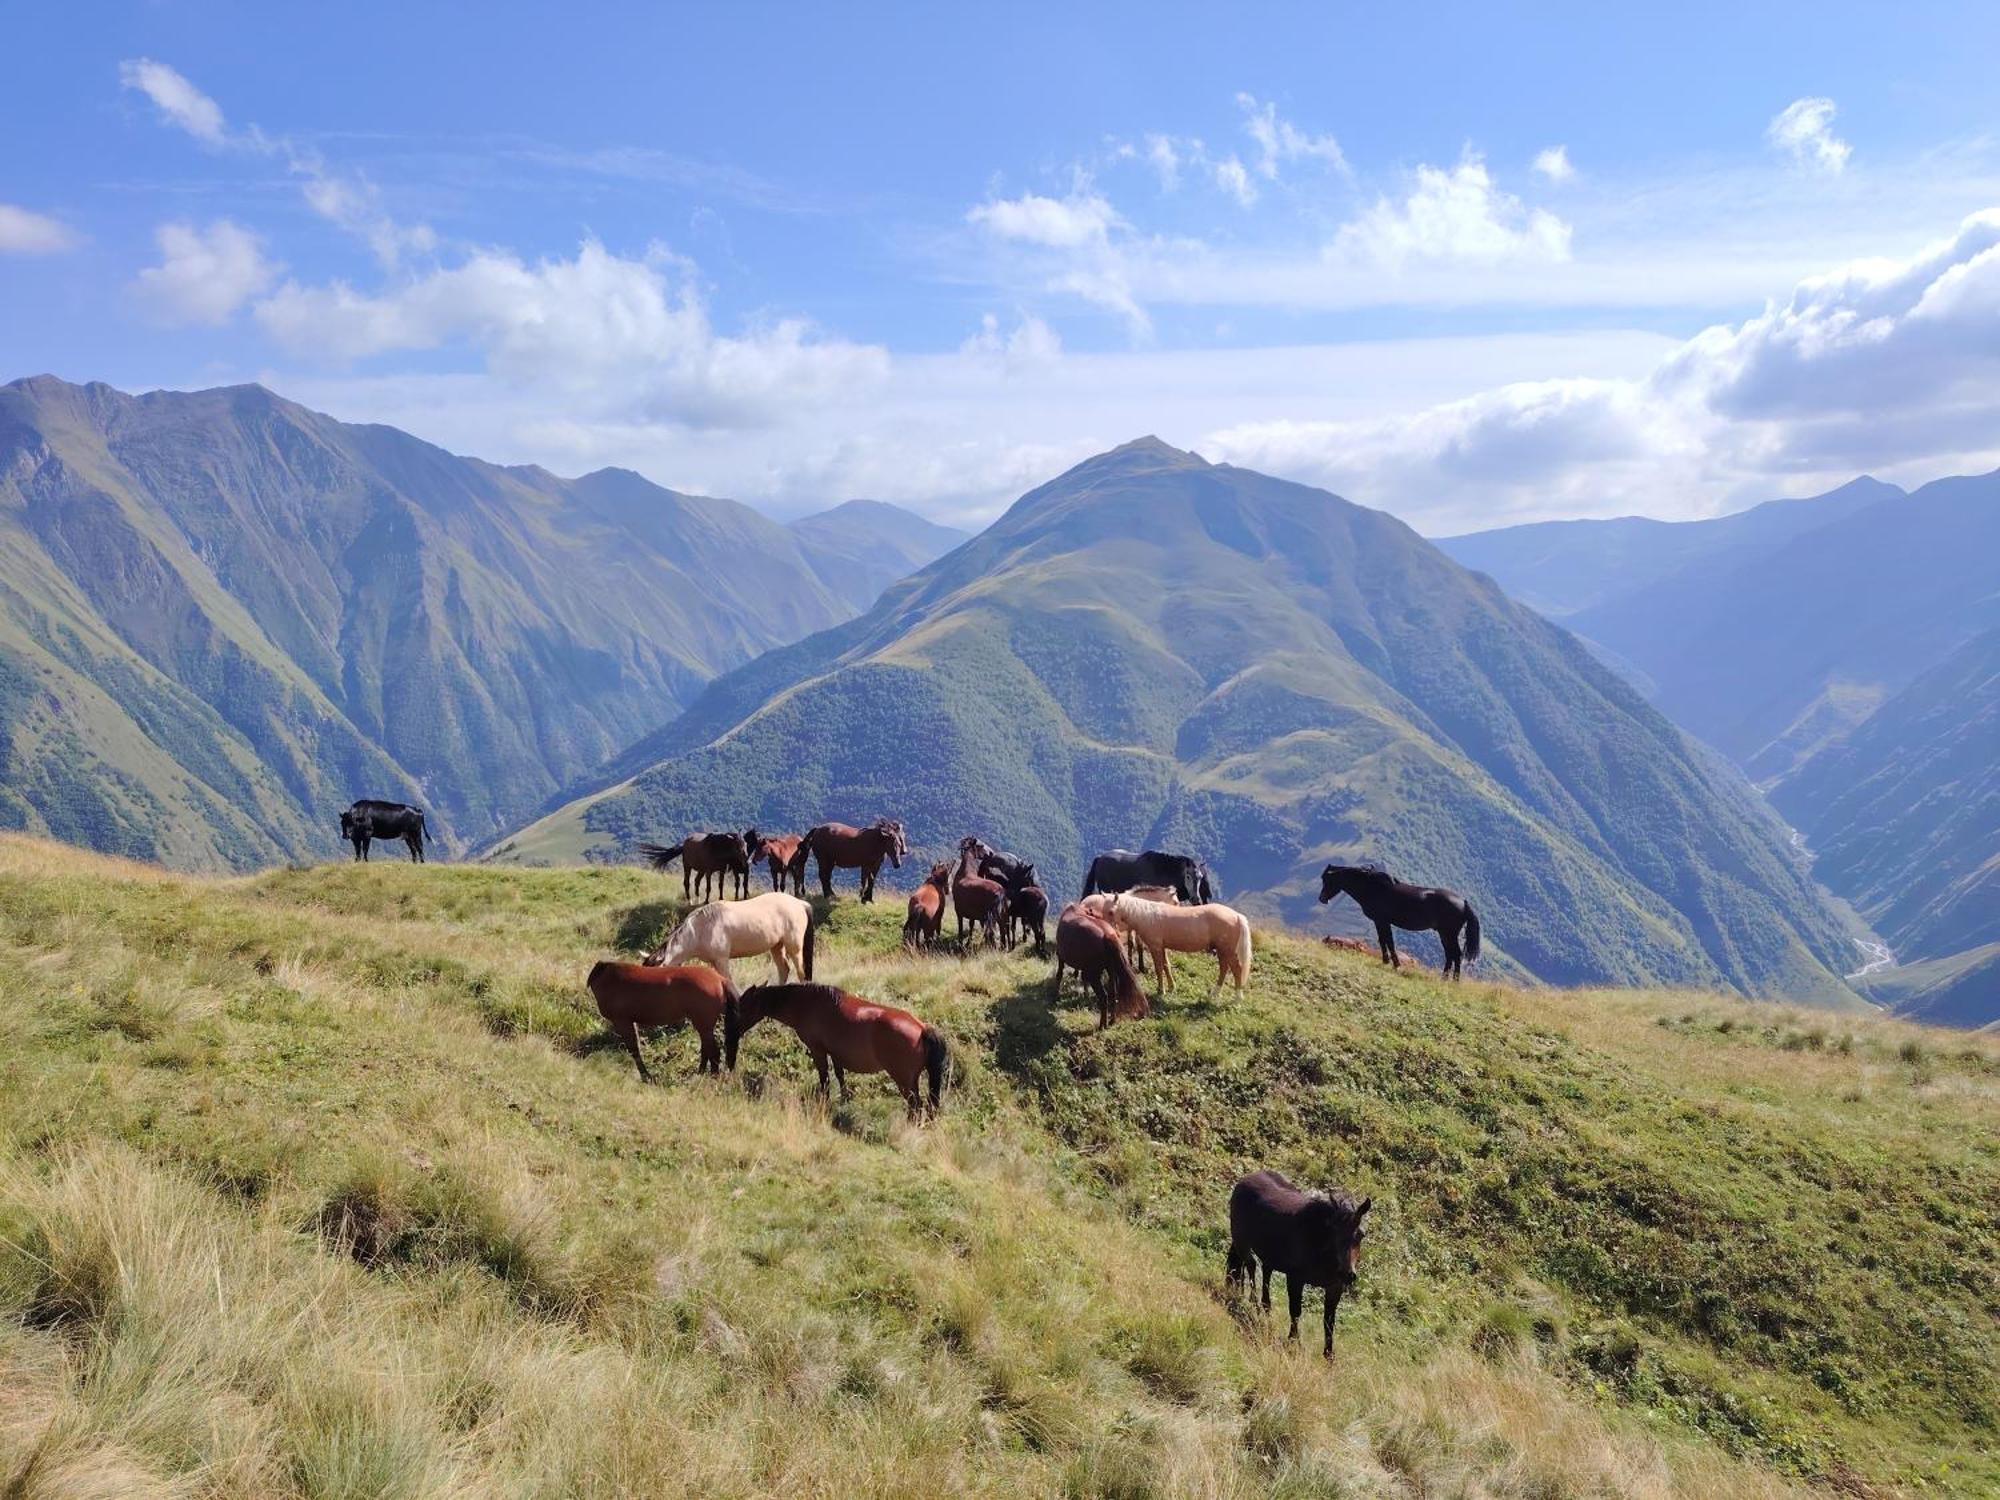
(849, 1033)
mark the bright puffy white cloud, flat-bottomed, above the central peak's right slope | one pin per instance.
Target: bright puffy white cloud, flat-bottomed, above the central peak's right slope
(1455, 217)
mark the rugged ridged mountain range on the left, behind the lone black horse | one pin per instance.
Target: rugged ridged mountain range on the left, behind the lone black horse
(223, 617)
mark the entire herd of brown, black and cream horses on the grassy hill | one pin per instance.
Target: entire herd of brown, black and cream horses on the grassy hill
(1133, 909)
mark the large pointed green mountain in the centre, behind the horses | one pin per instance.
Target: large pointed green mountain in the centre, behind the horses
(1159, 651)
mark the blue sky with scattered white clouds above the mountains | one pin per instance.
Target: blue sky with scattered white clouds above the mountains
(1473, 265)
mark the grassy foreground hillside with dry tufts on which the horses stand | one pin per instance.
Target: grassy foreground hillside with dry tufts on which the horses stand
(327, 1183)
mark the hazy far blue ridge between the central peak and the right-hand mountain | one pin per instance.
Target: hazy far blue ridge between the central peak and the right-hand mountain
(1563, 567)
